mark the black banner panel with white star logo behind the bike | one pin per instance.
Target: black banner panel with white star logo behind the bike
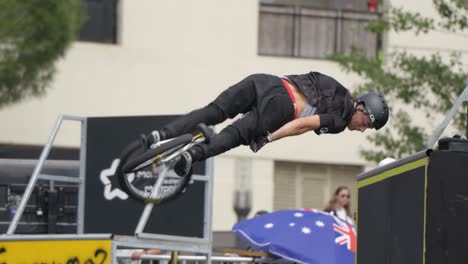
(106, 137)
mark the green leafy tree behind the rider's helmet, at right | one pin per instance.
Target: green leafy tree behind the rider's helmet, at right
(429, 83)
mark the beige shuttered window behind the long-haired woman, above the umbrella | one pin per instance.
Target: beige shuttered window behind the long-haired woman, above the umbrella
(302, 185)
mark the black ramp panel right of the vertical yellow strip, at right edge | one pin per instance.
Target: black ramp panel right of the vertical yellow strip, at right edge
(447, 211)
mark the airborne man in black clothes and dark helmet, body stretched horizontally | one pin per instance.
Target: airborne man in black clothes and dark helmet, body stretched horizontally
(274, 108)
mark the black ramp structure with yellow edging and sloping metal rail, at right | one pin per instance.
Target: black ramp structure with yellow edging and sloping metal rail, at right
(423, 185)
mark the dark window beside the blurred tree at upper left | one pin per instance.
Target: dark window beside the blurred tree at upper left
(100, 21)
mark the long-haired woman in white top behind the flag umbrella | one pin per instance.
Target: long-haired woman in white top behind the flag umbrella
(339, 204)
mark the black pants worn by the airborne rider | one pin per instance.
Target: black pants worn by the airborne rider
(262, 98)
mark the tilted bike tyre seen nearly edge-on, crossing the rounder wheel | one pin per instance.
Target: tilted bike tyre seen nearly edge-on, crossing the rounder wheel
(151, 153)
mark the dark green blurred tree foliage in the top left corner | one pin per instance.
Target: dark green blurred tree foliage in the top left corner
(33, 35)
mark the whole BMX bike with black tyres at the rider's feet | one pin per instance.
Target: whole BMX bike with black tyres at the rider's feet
(147, 174)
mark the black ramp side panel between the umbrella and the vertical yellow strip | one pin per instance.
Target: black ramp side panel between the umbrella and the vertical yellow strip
(391, 219)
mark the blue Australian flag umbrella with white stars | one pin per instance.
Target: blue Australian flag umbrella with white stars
(302, 236)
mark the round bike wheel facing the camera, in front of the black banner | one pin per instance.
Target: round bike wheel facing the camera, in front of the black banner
(139, 184)
